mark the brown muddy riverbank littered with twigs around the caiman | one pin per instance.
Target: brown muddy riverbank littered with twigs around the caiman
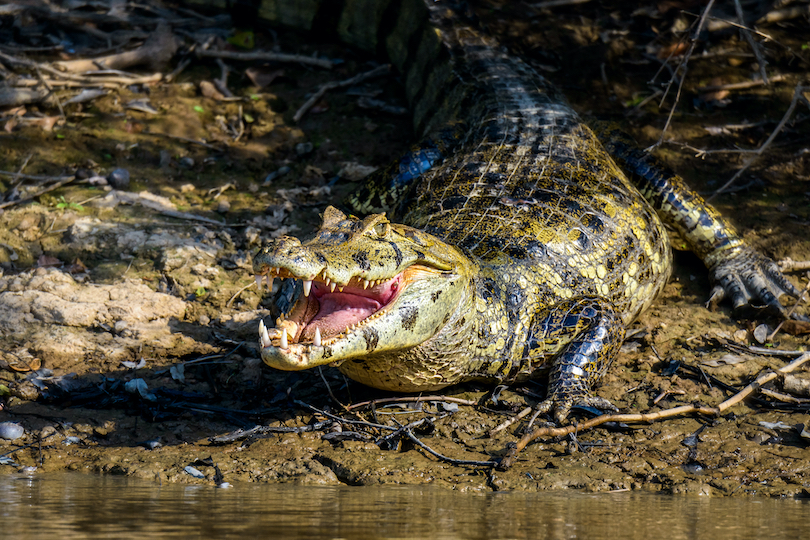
(129, 335)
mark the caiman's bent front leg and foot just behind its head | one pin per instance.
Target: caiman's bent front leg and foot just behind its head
(583, 335)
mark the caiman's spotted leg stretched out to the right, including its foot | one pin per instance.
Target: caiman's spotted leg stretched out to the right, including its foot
(737, 271)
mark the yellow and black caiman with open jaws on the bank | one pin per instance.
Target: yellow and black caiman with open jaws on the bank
(508, 242)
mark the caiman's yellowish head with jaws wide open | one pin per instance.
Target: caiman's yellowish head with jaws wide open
(370, 287)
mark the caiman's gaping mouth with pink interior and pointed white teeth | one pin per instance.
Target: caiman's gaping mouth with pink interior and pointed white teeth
(327, 310)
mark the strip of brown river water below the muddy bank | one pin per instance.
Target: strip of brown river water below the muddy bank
(68, 506)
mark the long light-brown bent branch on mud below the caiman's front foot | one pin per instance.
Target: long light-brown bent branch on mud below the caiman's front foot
(650, 417)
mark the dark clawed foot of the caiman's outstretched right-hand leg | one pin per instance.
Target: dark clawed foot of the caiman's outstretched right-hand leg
(746, 278)
